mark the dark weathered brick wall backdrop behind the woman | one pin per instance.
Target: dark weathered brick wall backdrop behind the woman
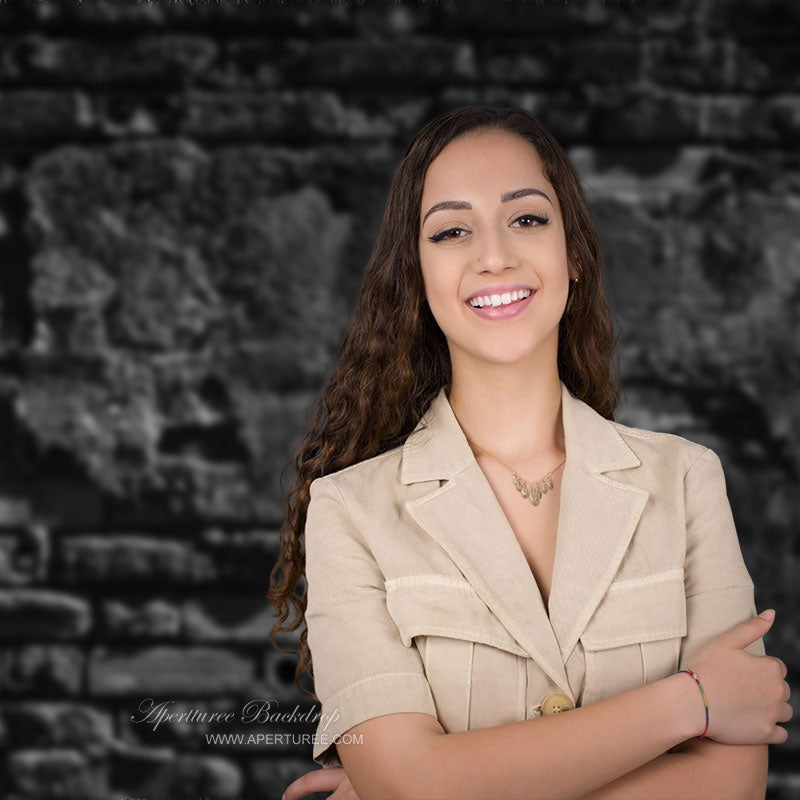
(188, 195)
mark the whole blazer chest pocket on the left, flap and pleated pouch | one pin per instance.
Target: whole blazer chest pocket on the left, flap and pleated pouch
(475, 668)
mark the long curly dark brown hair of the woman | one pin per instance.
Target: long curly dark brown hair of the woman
(394, 358)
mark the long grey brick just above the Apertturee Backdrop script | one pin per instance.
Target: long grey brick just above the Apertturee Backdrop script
(163, 670)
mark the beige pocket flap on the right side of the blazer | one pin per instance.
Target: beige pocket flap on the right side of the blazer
(637, 610)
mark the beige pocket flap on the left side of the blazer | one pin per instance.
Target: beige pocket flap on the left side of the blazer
(436, 605)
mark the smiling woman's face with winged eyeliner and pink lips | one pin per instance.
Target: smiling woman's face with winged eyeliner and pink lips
(498, 239)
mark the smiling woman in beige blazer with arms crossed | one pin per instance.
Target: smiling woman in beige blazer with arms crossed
(484, 547)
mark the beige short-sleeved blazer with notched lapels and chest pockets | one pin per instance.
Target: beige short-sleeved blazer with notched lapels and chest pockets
(421, 599)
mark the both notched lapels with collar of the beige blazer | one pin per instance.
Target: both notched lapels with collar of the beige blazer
(597, 518)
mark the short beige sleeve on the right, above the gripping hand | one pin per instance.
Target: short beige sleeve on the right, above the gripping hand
(719, 589)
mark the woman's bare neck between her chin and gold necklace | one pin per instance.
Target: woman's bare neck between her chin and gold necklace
(515, 420)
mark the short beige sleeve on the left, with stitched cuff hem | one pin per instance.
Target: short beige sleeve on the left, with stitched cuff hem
(361, 667)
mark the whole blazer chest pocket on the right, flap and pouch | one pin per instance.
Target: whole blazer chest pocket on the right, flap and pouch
(634, 636)
